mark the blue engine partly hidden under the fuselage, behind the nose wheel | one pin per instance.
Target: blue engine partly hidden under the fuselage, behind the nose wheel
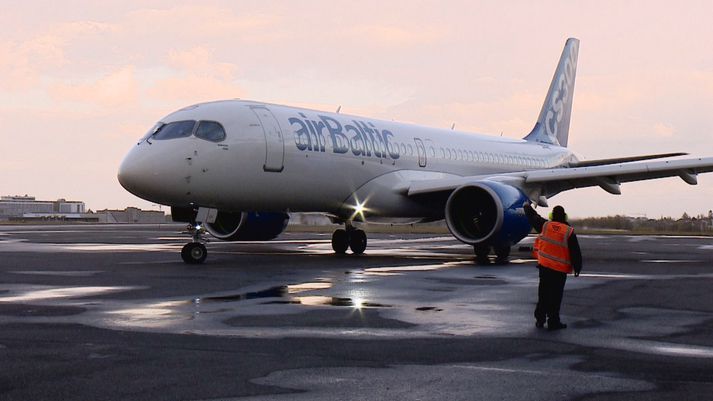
(248, 226)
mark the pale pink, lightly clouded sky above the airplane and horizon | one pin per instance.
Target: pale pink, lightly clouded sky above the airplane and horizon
(81, 81)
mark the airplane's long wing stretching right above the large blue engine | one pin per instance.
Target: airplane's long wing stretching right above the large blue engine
(550, 182)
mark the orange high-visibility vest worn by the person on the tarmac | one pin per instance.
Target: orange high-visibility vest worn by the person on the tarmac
(552, 248)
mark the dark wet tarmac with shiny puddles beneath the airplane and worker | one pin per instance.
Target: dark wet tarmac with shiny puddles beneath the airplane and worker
(110, 312)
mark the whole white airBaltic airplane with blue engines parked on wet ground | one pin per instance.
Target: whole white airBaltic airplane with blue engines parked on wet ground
(237, 168)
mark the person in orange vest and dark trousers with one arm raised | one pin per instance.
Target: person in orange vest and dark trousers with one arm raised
(558, 254)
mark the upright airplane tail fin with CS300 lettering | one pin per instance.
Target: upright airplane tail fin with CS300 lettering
(553, 123)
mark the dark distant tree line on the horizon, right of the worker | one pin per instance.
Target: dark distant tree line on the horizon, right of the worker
(685, 224)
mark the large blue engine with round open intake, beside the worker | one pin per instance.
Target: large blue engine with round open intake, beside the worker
(487, 213)
